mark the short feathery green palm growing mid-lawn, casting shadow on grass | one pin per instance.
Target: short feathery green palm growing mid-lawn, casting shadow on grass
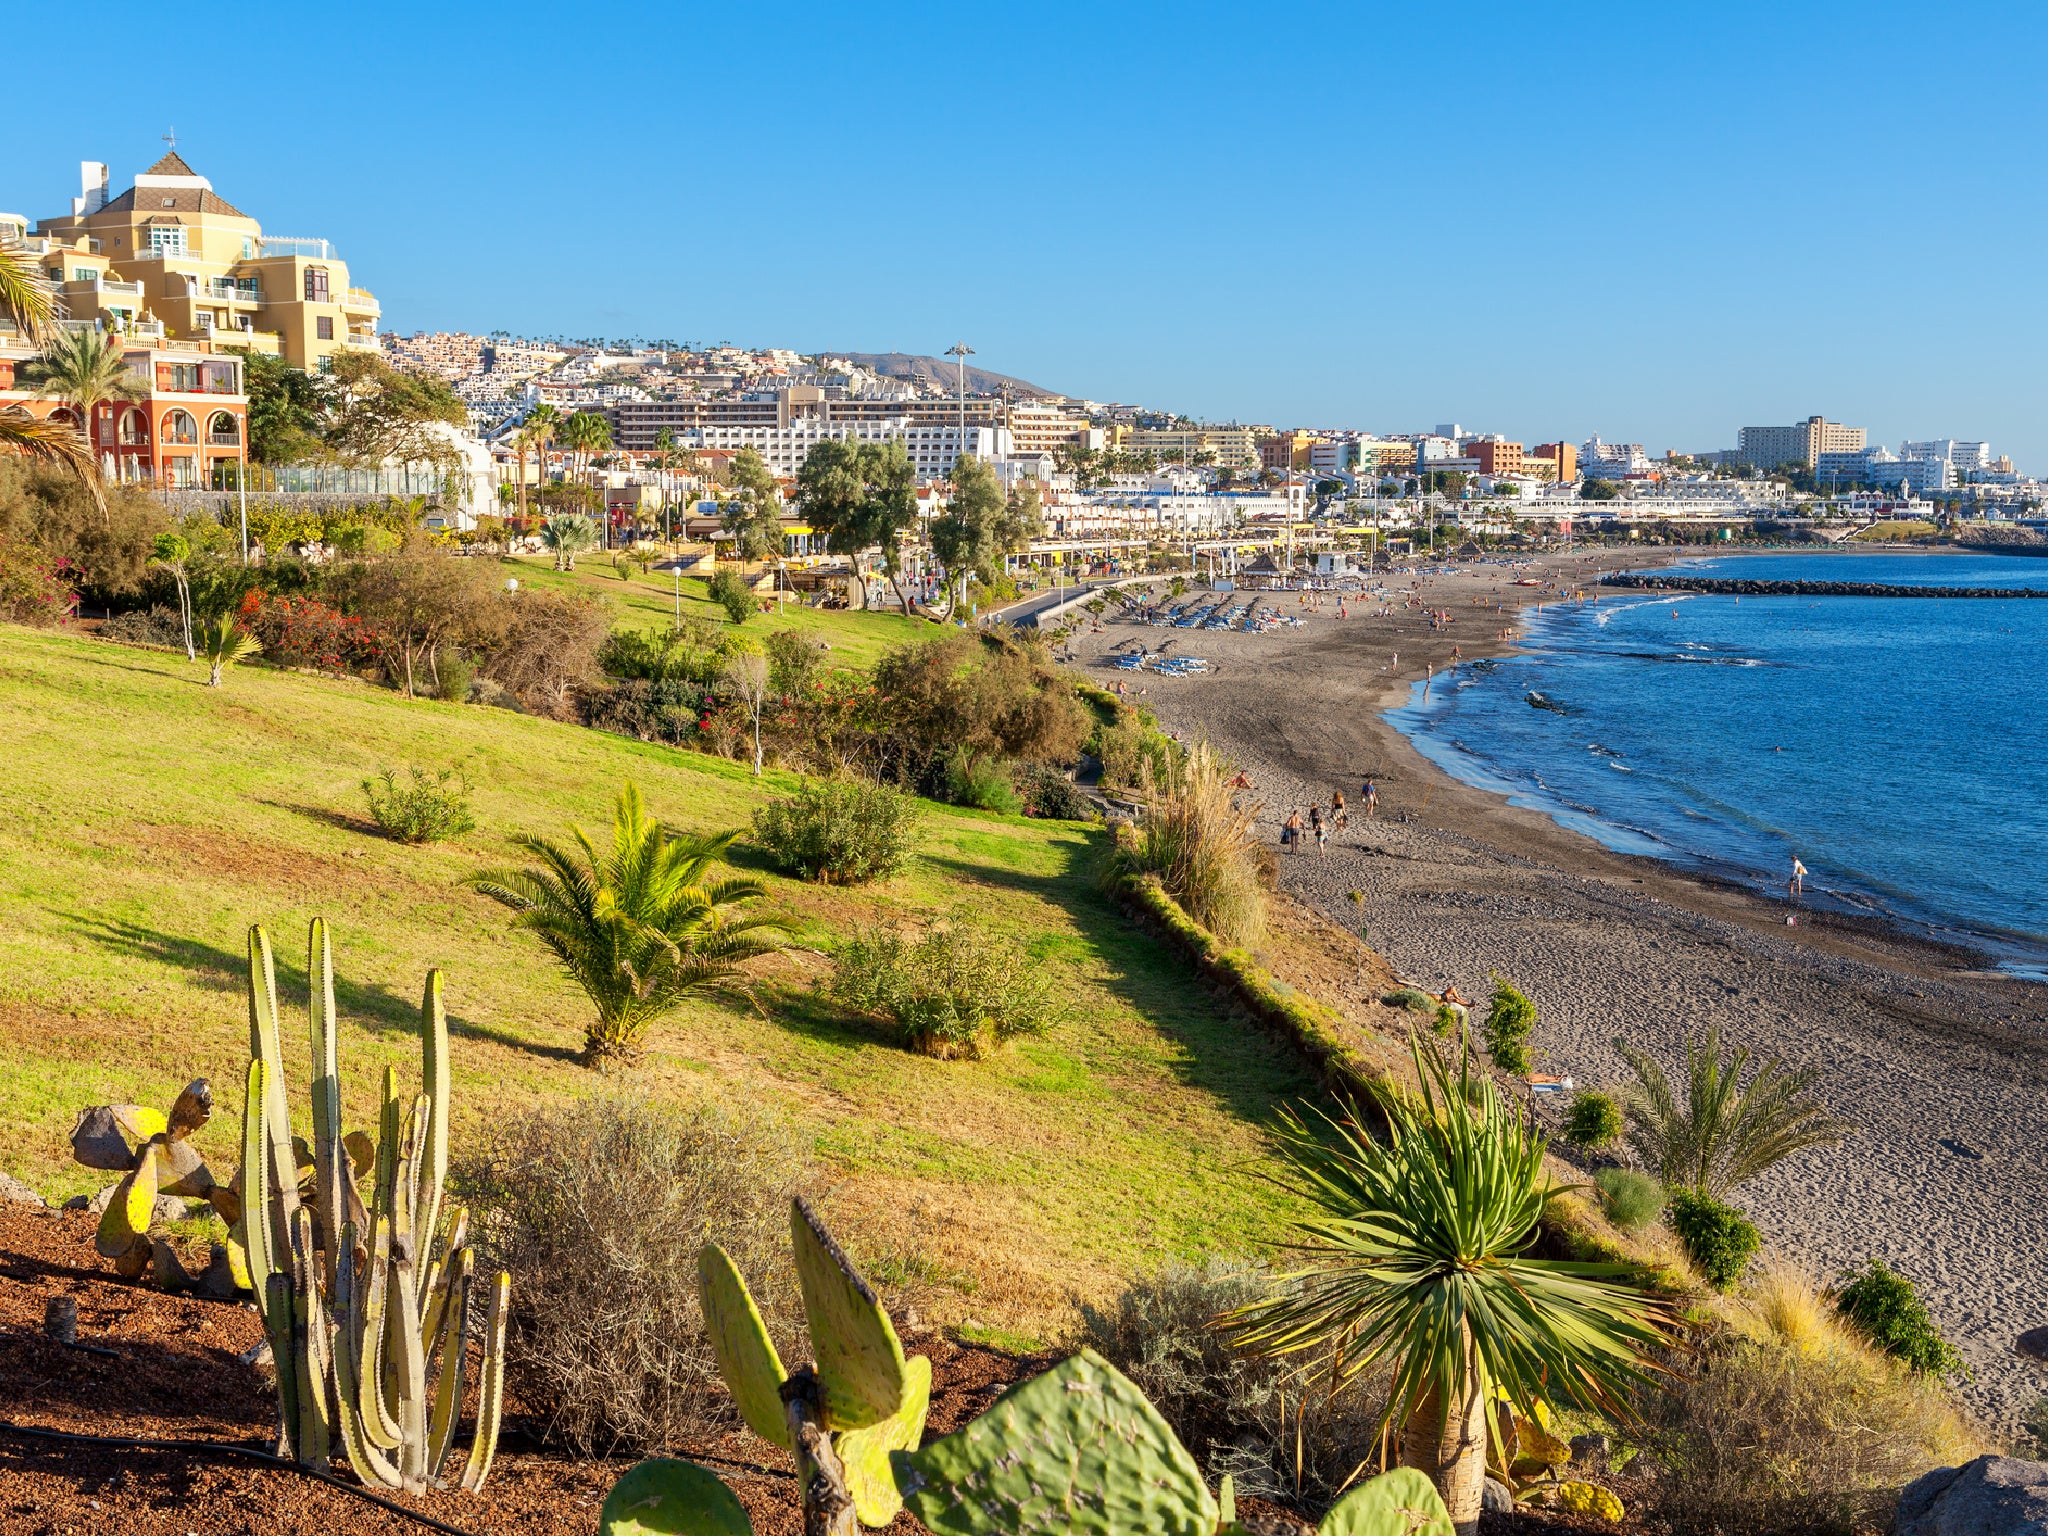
(638, 929)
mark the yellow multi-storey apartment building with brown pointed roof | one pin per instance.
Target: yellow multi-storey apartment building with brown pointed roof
(171, 259)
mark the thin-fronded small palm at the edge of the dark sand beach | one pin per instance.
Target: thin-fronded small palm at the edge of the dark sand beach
(1723, 1134)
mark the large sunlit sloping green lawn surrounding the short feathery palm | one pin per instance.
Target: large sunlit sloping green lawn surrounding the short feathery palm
(148, 820)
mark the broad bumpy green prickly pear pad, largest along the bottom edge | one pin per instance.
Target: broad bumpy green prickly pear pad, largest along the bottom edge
(1072, 1451)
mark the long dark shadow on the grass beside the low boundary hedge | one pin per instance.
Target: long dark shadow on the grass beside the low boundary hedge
(1222, 1054)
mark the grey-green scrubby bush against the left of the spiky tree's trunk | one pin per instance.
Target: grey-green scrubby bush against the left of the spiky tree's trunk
(1240, 1414)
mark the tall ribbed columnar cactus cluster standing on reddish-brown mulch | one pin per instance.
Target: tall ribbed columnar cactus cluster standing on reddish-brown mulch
(368, 1308)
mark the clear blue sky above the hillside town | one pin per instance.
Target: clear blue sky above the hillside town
(1648, 222)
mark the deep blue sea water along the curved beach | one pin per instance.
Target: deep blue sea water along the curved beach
(1897, 746)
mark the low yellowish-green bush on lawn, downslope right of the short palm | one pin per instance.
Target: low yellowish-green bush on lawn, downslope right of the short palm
(953, 992)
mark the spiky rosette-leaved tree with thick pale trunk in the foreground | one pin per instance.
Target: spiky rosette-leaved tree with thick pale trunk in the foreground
(1420, 1258)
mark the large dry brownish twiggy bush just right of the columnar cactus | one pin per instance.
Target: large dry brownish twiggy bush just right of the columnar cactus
(599, 1211)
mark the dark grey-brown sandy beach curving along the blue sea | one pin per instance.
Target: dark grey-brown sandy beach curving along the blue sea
(1938, 1062)
